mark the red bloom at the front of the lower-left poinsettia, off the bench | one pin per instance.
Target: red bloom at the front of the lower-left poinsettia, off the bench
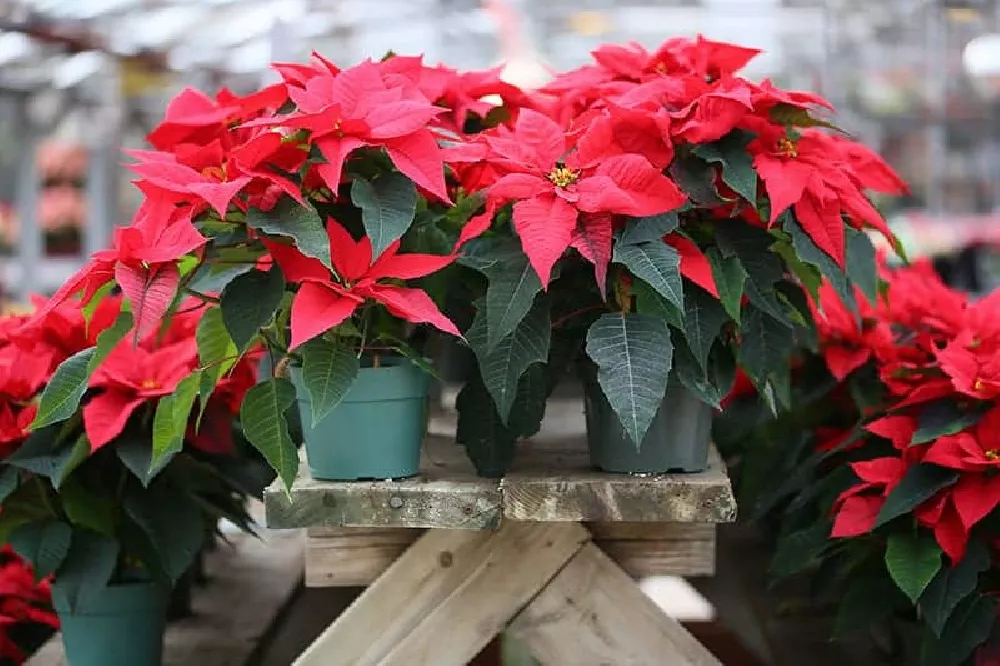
(130, 377)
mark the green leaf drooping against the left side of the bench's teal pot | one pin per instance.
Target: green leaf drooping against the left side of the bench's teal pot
(262, 416)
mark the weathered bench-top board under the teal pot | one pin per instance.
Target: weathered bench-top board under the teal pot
(447, 494)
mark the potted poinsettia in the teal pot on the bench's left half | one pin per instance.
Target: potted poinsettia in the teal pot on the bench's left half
(315, 223)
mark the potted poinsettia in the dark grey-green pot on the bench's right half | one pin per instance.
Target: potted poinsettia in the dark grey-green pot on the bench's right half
(659, 226)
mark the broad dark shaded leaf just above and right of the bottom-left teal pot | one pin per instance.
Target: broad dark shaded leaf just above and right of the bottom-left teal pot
(174, 526)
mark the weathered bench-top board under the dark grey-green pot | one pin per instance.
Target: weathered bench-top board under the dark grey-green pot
(553, 482)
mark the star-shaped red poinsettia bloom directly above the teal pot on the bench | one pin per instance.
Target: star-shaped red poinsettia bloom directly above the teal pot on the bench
(324, 300)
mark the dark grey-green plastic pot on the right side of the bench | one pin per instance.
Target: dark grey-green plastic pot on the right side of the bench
(678, 439)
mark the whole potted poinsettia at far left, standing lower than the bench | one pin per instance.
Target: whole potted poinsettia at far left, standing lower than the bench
(113, 485)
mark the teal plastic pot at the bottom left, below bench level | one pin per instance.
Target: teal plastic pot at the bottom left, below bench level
(122, 625)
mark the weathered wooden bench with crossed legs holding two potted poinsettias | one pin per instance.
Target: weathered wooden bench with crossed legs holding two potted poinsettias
(546, 554)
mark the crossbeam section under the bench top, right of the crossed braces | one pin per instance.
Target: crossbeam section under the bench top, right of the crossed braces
(658, 549)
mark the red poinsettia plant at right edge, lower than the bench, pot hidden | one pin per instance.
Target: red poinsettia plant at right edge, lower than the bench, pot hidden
(888, 458)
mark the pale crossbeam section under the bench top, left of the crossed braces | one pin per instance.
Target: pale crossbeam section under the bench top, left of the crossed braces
(353, 556)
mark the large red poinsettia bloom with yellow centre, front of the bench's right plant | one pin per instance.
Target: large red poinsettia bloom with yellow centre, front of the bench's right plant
(552, 186)
